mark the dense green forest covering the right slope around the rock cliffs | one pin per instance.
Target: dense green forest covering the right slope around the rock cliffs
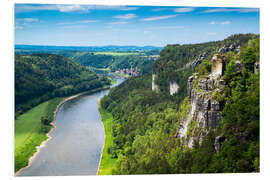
(146, 122)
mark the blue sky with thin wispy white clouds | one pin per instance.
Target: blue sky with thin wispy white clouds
(96, 25)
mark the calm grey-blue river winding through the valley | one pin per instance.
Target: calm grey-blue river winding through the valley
(77, 141)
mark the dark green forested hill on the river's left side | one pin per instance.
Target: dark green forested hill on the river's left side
(40, 77)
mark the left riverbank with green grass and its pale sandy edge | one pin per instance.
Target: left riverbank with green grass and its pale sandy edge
(37, 139)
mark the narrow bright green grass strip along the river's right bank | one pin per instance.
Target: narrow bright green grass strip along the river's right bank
(107, 162)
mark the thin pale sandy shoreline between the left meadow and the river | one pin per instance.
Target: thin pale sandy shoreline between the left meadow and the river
(43, 144)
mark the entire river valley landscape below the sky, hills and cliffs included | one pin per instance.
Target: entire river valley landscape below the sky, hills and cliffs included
(177, 111)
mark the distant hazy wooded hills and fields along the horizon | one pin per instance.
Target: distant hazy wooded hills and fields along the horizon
(112, 61)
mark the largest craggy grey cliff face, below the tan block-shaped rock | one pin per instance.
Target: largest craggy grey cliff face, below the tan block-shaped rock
(205, 111)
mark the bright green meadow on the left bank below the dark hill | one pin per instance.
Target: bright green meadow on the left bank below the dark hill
(30, 132)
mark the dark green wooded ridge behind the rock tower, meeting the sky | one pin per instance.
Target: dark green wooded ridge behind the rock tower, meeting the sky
(176, 61)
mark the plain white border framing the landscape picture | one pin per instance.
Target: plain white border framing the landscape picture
(7, 81)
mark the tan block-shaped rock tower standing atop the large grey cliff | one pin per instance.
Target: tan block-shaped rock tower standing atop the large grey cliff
(218, 65)
